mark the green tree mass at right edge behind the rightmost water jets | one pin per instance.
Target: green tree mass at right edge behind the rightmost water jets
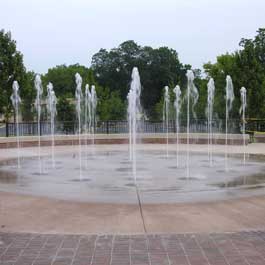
(247, 68)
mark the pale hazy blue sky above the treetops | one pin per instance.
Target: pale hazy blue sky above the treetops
(50, 32)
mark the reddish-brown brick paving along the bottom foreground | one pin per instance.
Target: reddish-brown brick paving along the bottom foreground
(242, 248)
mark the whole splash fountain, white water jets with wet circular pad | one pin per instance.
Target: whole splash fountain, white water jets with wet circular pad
(114, 178)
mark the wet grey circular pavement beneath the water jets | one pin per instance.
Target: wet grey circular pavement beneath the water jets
(107, 176)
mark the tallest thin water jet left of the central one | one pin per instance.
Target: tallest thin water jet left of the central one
(78, 99)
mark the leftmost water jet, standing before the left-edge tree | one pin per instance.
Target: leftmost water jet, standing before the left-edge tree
(16, 100)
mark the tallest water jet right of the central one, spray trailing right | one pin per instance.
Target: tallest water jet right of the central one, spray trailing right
(192, 98)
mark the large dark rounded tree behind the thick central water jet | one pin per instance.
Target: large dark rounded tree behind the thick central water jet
(157, 67)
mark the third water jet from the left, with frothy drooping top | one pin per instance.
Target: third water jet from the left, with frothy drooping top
(51, 108)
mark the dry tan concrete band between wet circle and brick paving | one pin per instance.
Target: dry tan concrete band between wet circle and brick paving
(29, 214)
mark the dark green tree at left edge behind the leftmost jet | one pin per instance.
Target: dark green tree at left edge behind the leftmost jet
(11, 68)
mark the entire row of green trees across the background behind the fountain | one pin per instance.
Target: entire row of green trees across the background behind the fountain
(110, 72)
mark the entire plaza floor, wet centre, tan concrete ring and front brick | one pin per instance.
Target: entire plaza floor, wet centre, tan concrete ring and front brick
(224, 224)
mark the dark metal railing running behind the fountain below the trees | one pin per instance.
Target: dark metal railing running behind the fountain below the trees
(115, 127)
